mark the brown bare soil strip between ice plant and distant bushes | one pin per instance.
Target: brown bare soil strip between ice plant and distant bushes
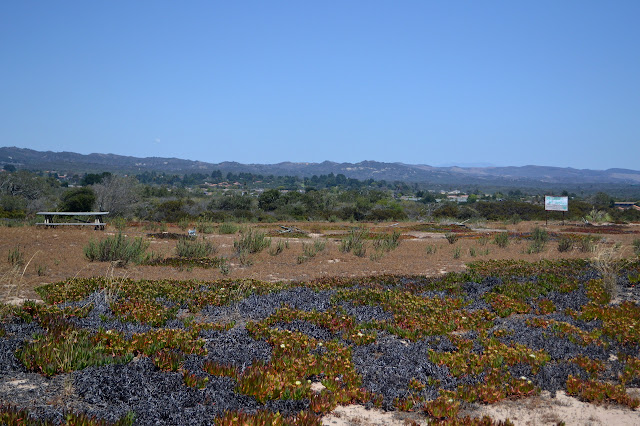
(55, 254)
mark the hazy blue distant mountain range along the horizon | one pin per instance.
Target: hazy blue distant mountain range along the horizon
(69, 162)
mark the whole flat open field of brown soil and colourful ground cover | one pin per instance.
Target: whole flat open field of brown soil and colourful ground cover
(430, 330)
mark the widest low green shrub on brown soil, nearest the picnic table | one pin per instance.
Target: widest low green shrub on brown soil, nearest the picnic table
(118, 248)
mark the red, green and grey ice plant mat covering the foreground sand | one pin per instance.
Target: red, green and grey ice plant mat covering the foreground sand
(251, 352)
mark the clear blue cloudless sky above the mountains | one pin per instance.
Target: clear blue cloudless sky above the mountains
(422, 82)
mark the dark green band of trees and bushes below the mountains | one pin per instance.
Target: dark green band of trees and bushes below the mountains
(254, 197)
